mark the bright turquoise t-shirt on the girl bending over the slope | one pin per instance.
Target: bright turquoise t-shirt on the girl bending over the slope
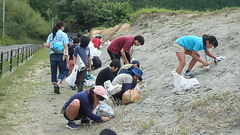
(192, 43)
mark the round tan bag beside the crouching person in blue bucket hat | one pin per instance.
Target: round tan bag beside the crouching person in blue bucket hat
(130, 96)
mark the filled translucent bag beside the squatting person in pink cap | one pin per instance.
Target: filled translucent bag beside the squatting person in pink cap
(104, 110)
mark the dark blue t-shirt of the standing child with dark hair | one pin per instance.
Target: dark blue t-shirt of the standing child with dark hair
(83, 53)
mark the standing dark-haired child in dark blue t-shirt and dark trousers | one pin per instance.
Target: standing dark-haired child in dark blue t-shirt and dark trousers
(84, 52)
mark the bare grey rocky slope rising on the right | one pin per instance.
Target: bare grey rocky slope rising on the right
(209, 108)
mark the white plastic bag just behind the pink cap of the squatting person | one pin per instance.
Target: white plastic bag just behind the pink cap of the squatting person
(111, 90)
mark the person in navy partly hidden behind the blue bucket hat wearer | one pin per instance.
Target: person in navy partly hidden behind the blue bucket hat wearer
(126, 68)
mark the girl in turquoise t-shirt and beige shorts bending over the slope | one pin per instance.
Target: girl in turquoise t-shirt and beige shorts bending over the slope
(190, 45)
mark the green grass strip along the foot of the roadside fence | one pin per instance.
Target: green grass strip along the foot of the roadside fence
(16, 87)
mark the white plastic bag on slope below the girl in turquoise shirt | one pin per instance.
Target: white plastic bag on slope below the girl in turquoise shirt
(181, 83)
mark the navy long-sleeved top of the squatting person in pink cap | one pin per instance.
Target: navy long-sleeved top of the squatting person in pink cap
(85, 106)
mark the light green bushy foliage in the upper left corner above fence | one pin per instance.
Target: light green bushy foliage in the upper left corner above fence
(22, 23)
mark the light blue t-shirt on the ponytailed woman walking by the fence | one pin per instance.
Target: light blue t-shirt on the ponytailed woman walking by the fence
(60, 38)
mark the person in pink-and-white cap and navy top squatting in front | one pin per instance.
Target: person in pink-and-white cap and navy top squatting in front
(82, 104)
